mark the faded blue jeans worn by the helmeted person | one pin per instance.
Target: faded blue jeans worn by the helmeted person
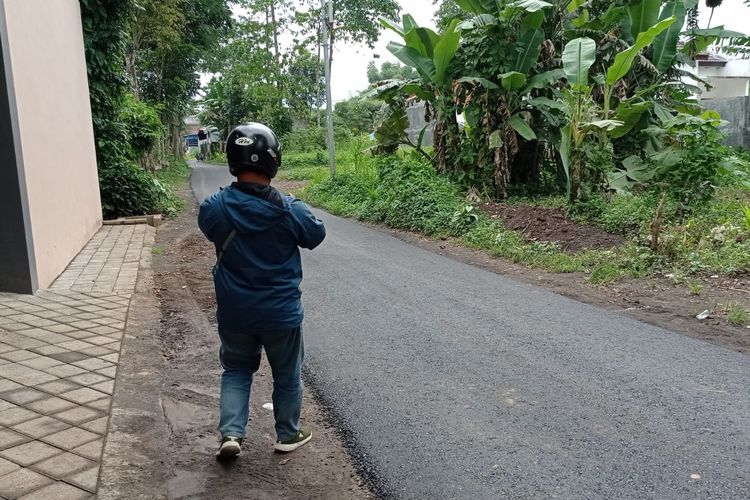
(240, 356)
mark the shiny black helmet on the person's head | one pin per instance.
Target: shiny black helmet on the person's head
(253, 147)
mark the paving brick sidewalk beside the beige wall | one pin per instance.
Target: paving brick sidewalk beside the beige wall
(59, 351)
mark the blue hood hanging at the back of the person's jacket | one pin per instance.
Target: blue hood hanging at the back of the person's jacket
(250, 214)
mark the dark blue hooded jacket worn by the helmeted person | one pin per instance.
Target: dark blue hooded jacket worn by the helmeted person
(257, 282)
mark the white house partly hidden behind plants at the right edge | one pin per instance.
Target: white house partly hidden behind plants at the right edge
(728, 77)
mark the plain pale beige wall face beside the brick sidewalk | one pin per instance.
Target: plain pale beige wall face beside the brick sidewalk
(43, 41)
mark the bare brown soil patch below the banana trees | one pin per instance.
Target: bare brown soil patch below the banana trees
(551, 225)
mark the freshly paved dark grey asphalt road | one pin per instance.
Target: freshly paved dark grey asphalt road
(454, 382)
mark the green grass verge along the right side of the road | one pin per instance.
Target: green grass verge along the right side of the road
(404, 192)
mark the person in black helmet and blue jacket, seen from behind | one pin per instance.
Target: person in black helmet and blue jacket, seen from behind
(257, 232)
